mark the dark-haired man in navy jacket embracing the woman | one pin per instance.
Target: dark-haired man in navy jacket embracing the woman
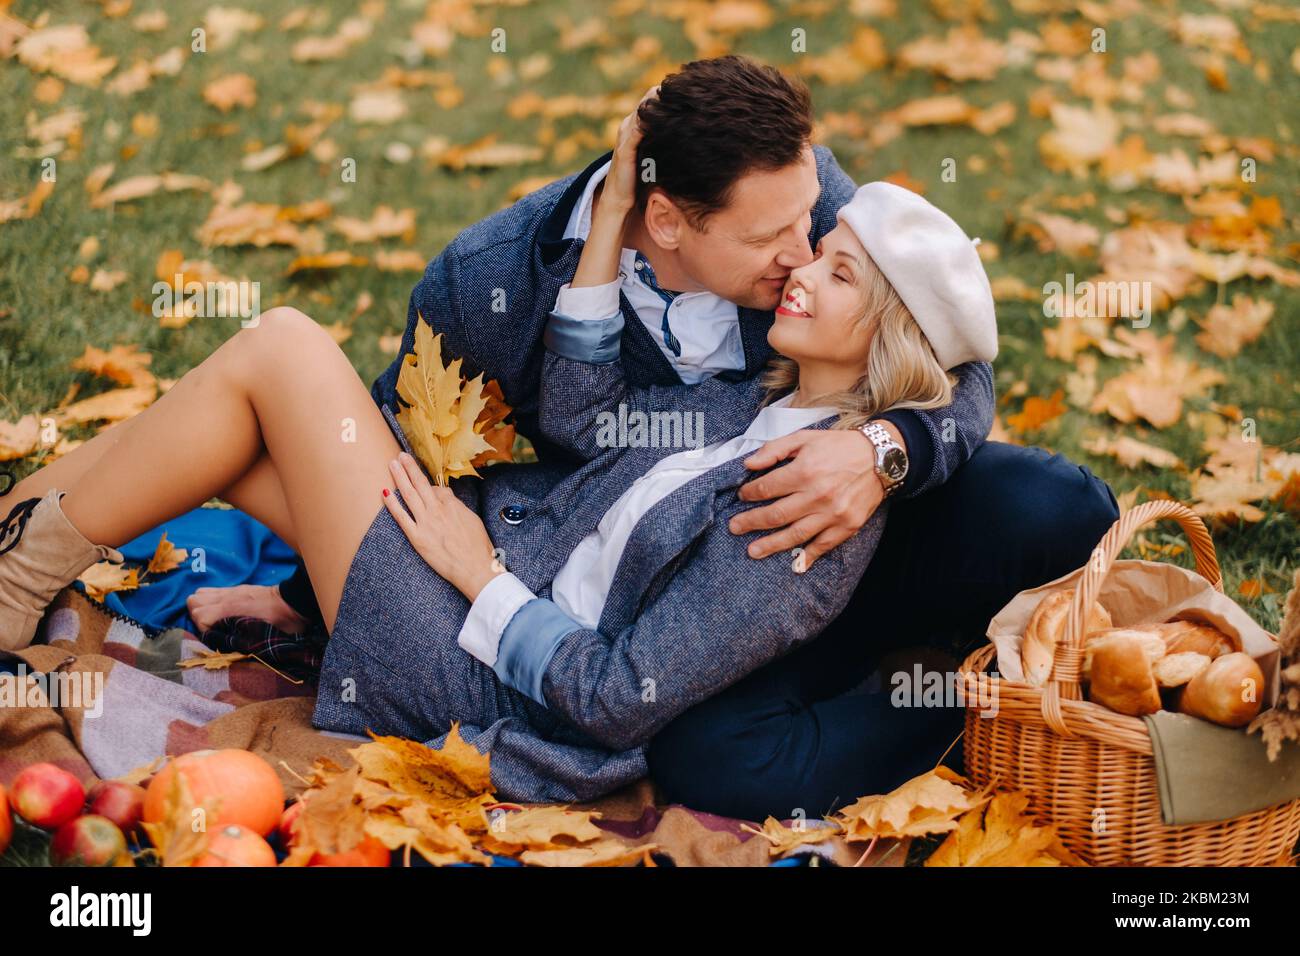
(733, 198)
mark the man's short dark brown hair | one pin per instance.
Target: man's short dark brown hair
(713, 123)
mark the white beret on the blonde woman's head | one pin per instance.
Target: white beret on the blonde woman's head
(934, 267)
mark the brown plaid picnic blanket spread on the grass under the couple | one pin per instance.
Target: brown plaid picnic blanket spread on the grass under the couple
(140, 706)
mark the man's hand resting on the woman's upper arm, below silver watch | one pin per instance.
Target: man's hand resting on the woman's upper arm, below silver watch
(825, 495)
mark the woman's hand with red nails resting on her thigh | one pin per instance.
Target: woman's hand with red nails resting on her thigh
(447, 534)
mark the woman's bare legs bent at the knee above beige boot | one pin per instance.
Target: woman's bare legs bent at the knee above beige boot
(283, 387)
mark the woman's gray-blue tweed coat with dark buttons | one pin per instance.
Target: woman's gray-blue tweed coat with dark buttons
(688, 612)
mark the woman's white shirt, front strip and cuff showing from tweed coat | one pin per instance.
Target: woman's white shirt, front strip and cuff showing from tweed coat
(583, 585)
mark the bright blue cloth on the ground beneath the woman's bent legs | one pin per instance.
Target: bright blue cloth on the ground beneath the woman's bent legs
(226, 548)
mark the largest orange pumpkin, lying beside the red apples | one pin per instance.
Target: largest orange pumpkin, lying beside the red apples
(242, 786)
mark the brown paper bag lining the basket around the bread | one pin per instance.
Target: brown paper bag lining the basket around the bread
(1145, 592)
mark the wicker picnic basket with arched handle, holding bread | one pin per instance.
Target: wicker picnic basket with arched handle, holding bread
(1073, 756)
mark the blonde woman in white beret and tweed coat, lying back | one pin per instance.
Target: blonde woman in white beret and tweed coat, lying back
(627, 600)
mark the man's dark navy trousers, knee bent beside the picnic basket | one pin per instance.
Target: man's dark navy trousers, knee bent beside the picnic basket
(809, 733)
